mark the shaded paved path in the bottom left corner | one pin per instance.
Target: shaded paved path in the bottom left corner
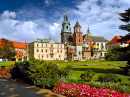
(10, 88)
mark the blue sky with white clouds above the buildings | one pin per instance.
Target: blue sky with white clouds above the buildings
(27, 20)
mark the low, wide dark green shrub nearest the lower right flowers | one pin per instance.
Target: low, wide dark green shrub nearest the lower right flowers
(109, 78)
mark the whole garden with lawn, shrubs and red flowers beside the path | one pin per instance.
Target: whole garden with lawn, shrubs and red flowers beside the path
(72, 79)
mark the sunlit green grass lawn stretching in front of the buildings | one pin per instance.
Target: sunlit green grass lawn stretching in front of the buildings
(99, 67)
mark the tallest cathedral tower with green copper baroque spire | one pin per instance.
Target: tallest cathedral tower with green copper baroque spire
(66, 29)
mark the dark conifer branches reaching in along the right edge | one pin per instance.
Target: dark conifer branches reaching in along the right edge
(126, 18)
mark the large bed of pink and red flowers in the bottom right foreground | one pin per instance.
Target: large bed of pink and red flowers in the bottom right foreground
(77, 90)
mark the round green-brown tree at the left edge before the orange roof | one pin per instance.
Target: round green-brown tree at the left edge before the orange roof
(7, 49)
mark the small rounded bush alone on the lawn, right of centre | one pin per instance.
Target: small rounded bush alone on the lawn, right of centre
(87, 76)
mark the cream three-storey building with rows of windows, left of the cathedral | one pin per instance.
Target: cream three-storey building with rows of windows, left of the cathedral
(46, 49)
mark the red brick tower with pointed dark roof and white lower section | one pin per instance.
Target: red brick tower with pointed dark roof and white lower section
(78, 40)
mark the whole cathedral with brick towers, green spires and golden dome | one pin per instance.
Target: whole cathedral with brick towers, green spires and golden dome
(79, 46)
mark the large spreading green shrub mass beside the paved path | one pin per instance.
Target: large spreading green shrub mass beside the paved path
(36, 72)
